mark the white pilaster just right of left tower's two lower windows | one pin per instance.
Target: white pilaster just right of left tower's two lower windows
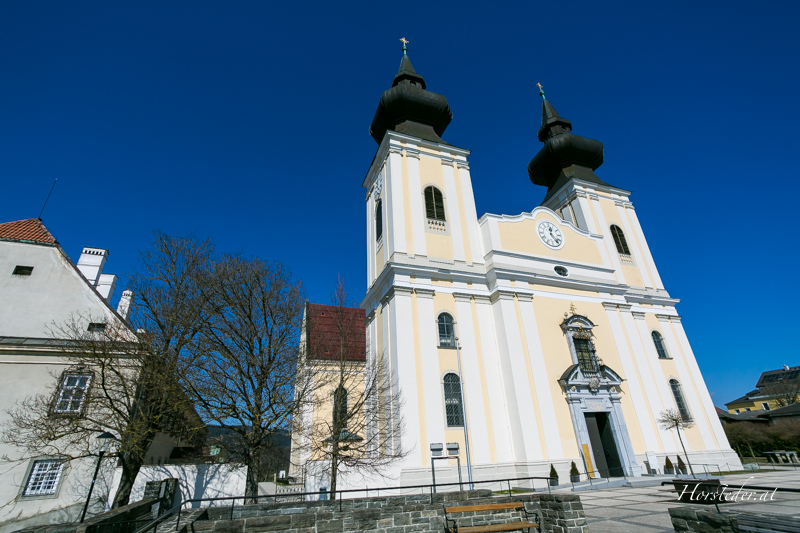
(471, 381)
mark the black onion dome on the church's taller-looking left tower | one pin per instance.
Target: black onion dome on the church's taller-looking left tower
(408, 108)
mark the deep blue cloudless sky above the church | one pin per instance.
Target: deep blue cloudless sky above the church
(247, 122)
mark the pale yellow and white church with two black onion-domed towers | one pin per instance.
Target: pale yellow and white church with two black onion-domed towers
(548, 334)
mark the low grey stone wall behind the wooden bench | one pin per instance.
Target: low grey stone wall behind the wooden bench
(562, 513)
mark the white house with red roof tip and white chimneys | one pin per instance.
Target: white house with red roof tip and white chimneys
(40, 289)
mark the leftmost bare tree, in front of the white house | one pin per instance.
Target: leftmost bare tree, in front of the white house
(132, 380)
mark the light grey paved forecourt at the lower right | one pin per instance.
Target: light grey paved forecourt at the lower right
(645, 509)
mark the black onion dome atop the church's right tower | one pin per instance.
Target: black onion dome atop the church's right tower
(564, 155)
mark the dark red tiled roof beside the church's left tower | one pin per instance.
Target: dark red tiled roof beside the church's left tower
(327, 326)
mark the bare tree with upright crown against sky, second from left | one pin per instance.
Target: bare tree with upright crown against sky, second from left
(243, 374)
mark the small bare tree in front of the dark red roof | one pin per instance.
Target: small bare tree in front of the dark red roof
(358, 406)
